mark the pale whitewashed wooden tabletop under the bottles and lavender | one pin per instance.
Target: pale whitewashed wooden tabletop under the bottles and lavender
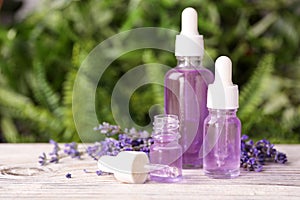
(21, 177)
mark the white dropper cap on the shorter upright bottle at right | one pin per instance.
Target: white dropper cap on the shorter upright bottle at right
(223, 94)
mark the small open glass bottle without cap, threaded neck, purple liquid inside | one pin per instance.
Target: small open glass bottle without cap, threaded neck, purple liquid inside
(165, 151)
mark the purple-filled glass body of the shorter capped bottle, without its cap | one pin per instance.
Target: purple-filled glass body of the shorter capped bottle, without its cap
(222, 144)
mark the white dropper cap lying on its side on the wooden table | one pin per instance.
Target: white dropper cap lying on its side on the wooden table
(127, 166)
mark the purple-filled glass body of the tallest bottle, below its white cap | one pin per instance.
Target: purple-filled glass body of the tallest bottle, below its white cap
(186, 97)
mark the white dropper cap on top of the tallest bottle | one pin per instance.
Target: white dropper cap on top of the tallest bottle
(189, 42)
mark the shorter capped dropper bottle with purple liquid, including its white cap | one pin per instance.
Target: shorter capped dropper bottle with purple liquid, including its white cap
(222, 128)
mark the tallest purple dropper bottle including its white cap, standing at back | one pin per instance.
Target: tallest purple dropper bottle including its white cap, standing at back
(186, 89)
